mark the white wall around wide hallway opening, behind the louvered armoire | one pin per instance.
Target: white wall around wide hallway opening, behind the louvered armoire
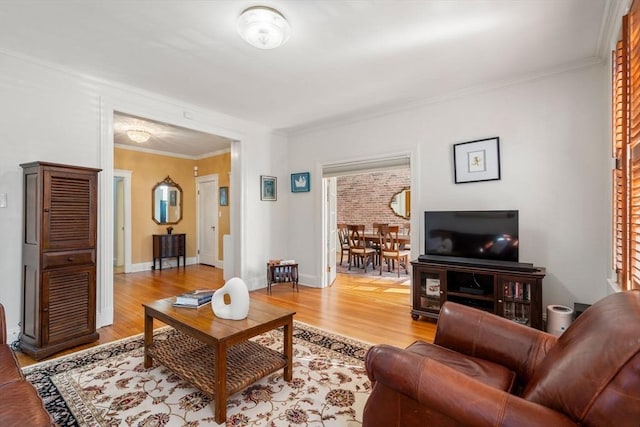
(54, 115)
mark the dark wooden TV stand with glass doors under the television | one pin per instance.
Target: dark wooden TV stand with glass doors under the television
(513, 294)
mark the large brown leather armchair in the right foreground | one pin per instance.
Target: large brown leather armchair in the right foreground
(483, 370)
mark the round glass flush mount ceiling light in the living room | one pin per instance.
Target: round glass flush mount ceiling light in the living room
(263, 27)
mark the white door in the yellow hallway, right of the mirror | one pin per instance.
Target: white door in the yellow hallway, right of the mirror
(207, 190)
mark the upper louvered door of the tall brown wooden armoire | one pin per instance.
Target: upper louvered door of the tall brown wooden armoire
(69, 210)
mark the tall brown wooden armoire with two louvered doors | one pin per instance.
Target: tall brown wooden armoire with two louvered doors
(59, 257)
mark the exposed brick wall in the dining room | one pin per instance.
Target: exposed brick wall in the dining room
(364, 198)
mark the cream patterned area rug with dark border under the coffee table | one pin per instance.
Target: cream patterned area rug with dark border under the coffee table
(109, 386)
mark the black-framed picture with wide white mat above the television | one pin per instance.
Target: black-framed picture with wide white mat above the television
(478, 160)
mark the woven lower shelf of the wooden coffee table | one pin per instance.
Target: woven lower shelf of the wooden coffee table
(195, 362)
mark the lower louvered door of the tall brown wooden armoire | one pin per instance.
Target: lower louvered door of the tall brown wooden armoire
(68, 309)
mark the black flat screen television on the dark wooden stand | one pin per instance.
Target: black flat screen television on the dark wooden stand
(479, 235)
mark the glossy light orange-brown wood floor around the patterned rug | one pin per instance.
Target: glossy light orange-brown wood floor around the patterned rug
(369, 309)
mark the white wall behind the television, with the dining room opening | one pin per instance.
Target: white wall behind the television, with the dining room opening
(553, 146)
